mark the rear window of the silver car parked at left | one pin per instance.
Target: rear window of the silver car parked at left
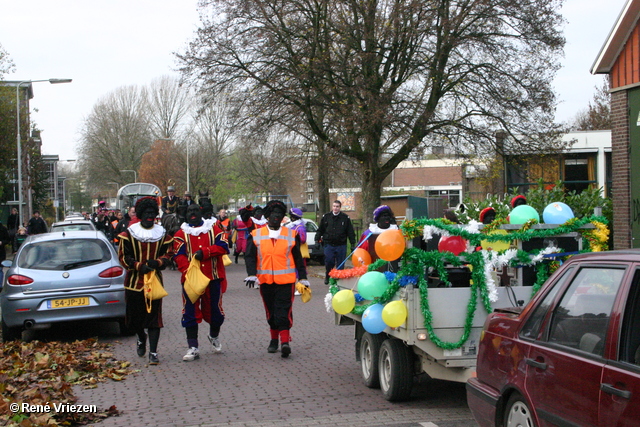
(63, 254)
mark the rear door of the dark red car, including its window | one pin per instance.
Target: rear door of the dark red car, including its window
(565, 368)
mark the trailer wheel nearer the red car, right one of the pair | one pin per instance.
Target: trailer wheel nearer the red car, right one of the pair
(396, 370)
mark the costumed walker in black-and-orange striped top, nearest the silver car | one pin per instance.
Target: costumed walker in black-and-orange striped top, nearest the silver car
(144, 247)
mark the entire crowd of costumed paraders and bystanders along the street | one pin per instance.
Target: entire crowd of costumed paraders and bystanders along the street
(275, 249)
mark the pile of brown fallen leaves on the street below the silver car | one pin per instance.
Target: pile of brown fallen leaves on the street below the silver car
(43, 373)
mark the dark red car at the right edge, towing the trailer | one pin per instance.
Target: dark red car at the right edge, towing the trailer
(571, 357)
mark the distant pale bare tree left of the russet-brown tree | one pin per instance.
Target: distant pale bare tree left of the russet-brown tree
(115, 135)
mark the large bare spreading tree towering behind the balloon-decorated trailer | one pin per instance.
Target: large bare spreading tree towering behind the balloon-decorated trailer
(374, 79)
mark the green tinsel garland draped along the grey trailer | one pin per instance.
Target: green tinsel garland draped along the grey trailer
(415, 262)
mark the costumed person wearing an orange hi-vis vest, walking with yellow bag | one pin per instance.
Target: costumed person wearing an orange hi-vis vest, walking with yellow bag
(274, 263)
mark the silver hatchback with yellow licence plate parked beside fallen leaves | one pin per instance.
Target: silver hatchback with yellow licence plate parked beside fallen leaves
(60, 277)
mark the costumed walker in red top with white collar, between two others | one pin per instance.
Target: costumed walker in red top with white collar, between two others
(203, 240)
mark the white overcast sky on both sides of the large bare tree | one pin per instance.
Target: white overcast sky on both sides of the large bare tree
(105, 45)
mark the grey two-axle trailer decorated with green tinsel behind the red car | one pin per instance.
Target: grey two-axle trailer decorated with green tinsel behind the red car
(445, 315)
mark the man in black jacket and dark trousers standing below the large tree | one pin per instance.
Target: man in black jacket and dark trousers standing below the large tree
(335, 228)
